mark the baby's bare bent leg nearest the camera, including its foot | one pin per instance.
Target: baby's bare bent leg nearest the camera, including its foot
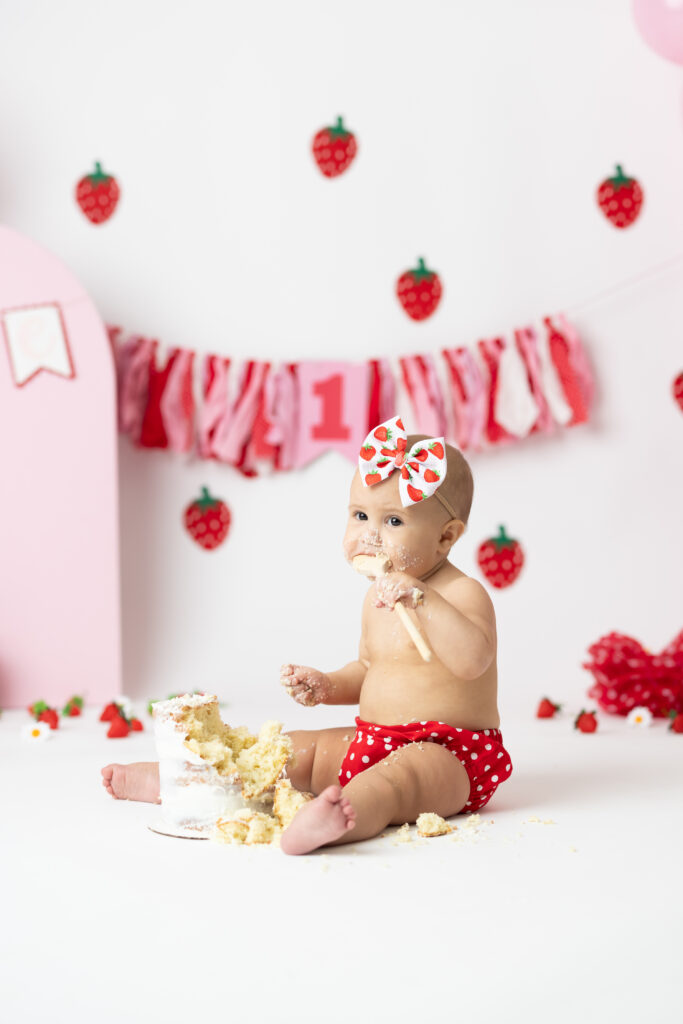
(417, 778)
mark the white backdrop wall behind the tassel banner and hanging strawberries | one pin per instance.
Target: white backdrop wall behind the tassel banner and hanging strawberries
(484, 132)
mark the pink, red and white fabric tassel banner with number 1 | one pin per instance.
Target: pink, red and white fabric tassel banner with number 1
(264, 417)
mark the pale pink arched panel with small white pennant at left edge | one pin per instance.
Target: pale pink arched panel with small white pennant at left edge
(60, 614)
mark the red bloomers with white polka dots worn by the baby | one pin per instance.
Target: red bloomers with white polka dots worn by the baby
(482, 753)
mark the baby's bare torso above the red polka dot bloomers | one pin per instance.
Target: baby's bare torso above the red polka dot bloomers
(401, 688)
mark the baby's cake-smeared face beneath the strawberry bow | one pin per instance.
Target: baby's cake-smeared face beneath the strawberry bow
(378, 523)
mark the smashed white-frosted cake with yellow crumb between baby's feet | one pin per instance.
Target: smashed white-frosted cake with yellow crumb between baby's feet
(210, 773)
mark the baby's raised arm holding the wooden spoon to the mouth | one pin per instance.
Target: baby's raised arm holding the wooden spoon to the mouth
(459, 625)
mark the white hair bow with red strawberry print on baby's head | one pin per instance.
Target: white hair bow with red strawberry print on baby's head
(422, 470)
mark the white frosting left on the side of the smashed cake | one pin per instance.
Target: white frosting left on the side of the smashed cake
(194, 795)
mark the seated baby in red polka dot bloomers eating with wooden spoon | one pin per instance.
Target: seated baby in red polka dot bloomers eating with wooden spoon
(428, 738)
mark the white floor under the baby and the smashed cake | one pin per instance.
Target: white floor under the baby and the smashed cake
(104, 921)
